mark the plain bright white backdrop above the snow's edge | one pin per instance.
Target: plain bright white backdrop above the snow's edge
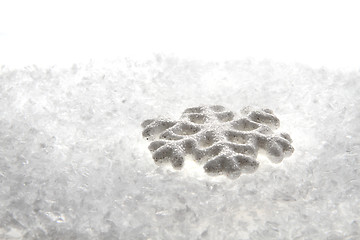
(314, 33)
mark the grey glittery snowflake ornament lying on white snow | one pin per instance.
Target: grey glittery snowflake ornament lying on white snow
(216, 138)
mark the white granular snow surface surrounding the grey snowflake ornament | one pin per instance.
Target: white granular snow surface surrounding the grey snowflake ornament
(73, 164)
